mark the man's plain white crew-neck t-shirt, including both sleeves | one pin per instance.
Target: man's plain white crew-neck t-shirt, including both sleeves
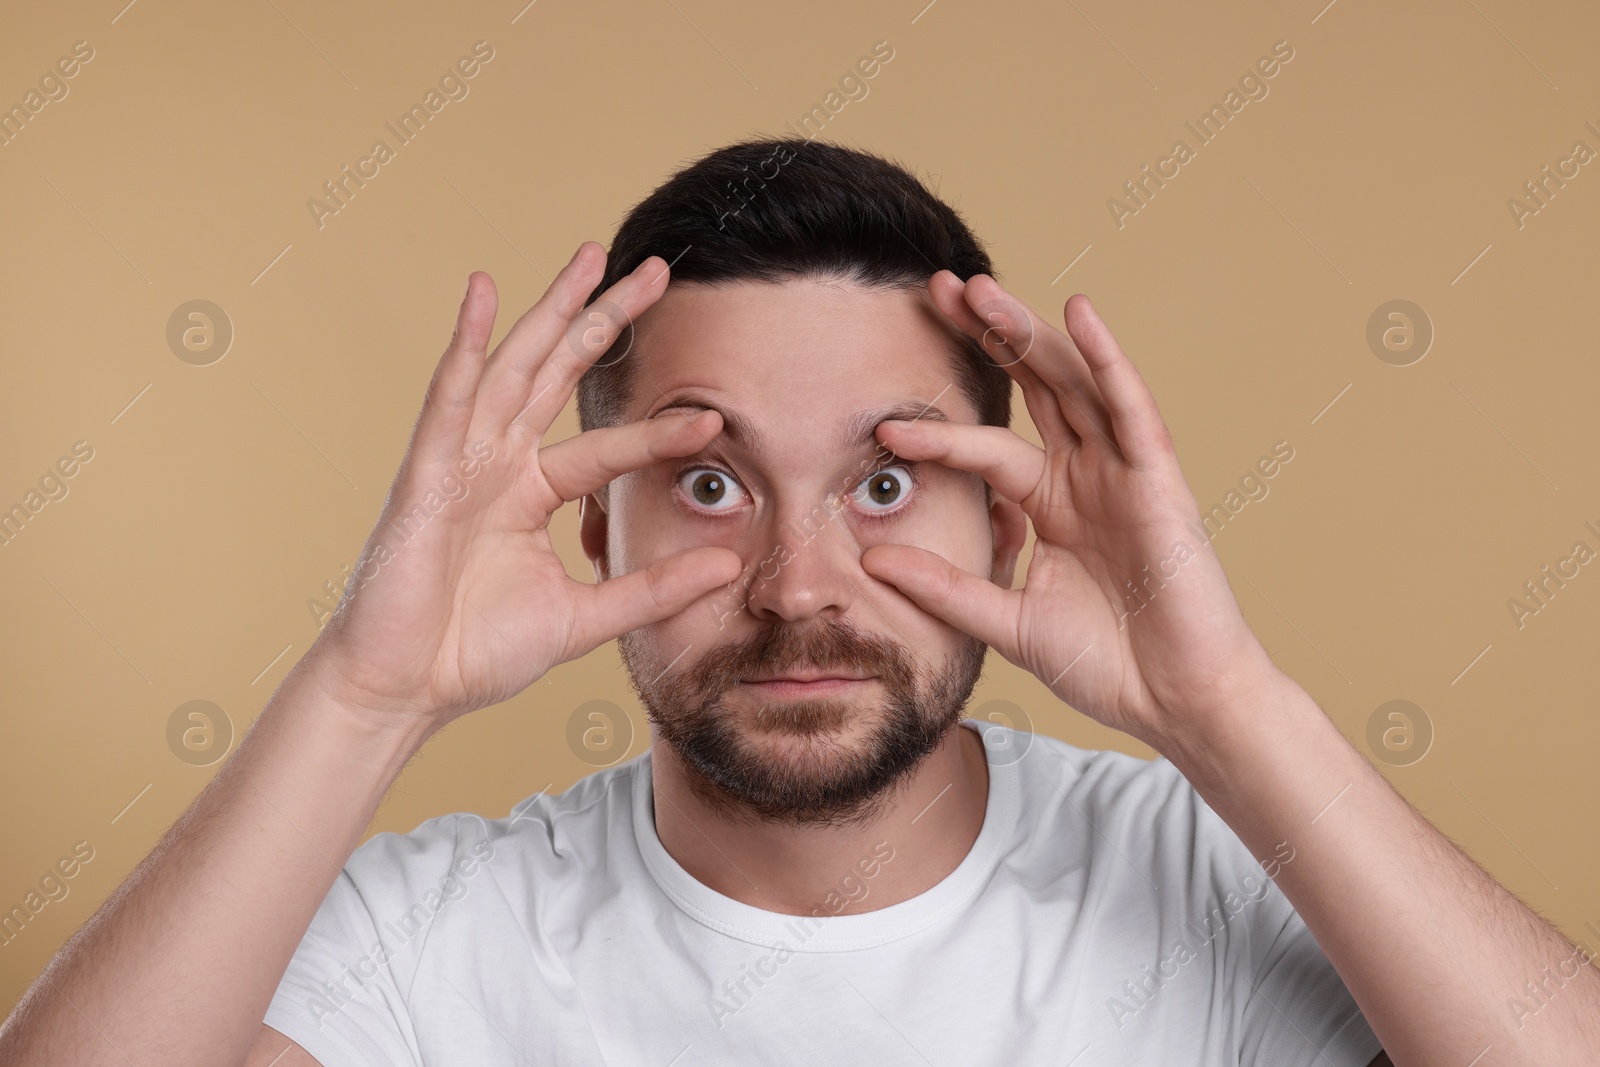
(1105, 916)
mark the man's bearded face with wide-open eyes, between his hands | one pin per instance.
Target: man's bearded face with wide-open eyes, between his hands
(807, 689)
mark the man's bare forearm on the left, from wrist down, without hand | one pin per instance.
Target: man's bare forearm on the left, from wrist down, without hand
(178, 967)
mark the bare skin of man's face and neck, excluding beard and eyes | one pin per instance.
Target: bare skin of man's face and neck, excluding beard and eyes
(847, 351)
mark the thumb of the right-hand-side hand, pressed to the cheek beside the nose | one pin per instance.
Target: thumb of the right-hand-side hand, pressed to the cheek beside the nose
(967, 602)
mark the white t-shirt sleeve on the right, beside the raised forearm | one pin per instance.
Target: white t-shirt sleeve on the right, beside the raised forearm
(1292, 1007)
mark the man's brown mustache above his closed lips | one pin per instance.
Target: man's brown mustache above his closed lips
(786, 647)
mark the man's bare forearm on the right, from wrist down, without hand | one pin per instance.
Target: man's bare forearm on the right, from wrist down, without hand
(1430, 945)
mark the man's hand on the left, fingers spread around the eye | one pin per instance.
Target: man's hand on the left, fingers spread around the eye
(460, 599)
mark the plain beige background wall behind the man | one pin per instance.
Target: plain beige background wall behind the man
(217, 505)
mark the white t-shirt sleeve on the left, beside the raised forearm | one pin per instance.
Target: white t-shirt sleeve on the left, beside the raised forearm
(343, 997)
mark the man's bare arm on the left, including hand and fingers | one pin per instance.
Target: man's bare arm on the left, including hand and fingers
(180, 965)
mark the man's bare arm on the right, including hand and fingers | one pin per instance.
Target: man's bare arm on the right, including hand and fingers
(1129, 618)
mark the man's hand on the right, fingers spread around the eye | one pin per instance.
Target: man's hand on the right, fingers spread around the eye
(1126, 612)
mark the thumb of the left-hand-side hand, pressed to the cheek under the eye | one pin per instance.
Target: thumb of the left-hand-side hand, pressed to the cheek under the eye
(610, 609)
